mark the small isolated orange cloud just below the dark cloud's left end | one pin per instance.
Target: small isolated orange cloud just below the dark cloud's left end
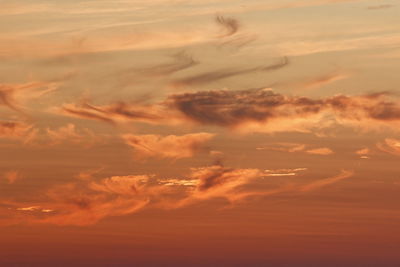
(170, 146)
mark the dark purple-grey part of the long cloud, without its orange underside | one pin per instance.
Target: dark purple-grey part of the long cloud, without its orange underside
(232, 108)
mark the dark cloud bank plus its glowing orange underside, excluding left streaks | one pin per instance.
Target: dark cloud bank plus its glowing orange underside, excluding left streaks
(266, 111)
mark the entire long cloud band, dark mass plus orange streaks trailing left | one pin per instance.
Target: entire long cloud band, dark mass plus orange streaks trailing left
(253, 110)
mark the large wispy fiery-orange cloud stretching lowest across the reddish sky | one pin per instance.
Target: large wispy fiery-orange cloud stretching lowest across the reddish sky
(87, 201)
